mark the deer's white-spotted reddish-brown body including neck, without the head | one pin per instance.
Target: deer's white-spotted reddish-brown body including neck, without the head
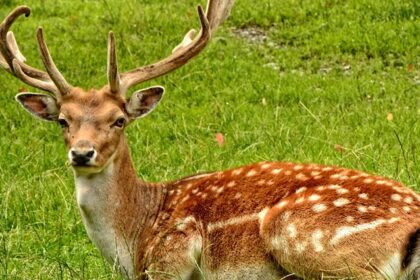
(262, 221)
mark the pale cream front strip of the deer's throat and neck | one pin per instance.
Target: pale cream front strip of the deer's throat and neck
(97, 210)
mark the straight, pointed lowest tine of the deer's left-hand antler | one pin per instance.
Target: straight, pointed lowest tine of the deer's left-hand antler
(52, 70)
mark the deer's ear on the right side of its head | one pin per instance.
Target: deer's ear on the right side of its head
(142, 102)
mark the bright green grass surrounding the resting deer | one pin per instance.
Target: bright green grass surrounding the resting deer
(318, 74)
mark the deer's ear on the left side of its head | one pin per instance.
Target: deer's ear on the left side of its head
(39, 105)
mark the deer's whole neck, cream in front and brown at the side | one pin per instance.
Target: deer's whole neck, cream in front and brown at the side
(118, 209)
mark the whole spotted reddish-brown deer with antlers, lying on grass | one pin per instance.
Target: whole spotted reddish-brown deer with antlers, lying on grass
(268, 220)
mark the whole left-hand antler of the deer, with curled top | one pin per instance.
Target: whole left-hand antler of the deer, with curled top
(13, 61)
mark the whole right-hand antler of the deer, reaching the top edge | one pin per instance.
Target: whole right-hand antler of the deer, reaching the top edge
(217, 11)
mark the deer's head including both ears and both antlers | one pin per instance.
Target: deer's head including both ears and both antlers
(93, 121)
